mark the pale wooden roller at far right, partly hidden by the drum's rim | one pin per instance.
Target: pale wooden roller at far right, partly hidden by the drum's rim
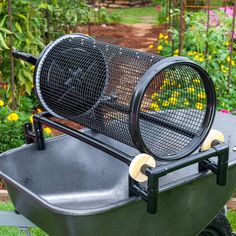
(214, 135)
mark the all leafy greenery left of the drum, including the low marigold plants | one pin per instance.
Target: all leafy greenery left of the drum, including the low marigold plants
(35, 24)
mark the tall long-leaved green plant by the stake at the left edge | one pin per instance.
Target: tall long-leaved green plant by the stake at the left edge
(27, 32)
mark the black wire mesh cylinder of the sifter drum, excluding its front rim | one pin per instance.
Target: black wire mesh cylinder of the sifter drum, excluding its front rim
(93, 83)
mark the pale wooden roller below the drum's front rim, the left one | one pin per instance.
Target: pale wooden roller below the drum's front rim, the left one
(135, 168)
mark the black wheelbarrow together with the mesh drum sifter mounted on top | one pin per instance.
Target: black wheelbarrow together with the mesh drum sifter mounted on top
(102, 180)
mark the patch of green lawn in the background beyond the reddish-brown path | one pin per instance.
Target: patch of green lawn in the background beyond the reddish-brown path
(135, 14)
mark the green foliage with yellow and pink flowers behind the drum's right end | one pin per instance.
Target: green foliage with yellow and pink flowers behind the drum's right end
(216, 58)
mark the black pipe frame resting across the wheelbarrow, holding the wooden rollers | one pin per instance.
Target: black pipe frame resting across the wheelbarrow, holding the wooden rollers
(34, 134)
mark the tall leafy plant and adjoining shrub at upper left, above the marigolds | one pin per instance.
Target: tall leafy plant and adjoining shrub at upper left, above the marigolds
(35, 23)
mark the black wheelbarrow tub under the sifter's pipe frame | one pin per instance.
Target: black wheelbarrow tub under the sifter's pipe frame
(74, 189)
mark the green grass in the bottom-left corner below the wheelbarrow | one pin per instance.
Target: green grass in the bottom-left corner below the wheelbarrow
(14, 231)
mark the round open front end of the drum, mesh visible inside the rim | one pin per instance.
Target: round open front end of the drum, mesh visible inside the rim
(174, 109)
